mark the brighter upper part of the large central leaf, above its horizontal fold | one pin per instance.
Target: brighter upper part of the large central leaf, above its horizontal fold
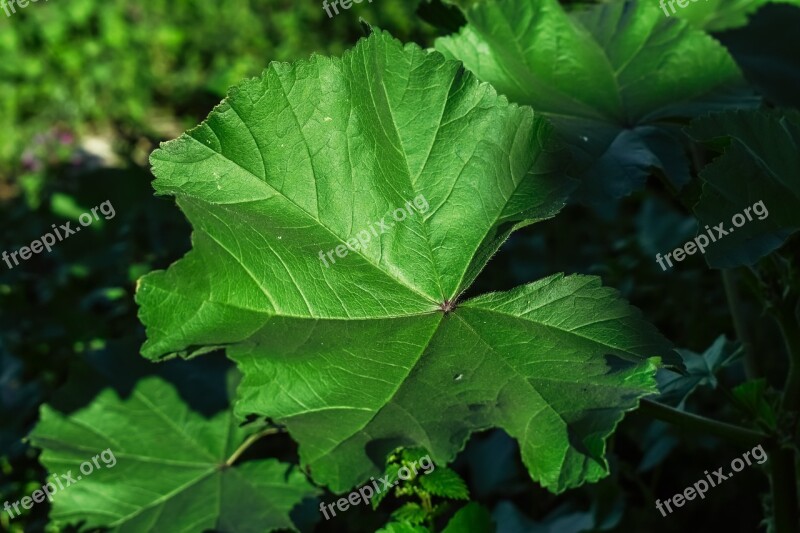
(302, 160)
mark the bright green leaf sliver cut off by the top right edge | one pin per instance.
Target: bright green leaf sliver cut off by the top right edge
(718, 15)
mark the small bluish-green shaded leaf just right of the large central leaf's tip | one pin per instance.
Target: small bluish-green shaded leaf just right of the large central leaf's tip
(701, 370)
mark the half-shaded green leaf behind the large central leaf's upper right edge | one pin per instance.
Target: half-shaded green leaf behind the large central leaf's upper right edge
(614, 79)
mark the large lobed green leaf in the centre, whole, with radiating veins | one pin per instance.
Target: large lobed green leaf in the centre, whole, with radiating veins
(377, 351)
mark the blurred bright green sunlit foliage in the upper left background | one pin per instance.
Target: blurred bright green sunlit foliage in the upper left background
(147, 69)
